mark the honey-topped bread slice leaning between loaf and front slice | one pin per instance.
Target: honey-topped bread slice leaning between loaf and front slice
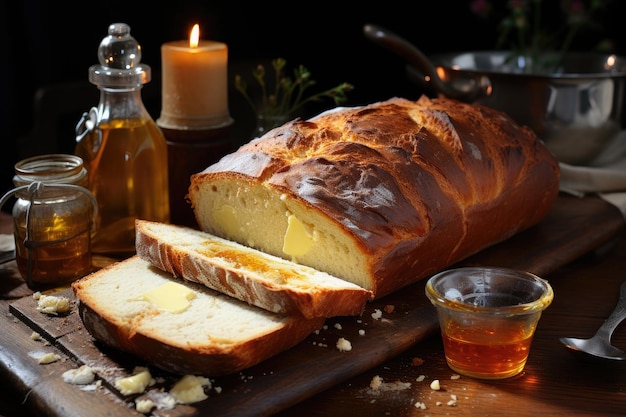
(263, 280)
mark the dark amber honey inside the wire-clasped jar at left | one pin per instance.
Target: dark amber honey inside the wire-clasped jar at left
(58, 249)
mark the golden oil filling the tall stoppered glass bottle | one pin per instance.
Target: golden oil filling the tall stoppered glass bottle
(128, 176)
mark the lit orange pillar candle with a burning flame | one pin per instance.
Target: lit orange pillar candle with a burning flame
(194, 84)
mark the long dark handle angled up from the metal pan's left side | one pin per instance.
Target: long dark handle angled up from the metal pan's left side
(467, 88)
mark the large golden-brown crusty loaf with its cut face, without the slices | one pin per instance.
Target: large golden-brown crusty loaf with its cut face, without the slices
(381, 195)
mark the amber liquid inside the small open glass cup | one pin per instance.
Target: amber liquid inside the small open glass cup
(487, 353)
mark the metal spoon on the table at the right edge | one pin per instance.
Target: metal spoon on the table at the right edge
(600, 344)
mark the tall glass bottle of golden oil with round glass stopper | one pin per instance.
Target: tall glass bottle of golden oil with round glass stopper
(124, 151)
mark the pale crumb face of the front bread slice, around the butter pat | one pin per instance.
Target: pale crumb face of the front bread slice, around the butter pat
(211, 322)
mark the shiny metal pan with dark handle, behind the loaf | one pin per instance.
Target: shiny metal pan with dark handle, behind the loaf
(577, 109)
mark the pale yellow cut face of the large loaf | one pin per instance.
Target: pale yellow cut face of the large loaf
(265, 219)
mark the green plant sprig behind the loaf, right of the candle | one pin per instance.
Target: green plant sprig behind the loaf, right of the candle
(288, 94)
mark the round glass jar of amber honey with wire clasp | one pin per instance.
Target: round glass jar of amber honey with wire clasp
(53, 220)
